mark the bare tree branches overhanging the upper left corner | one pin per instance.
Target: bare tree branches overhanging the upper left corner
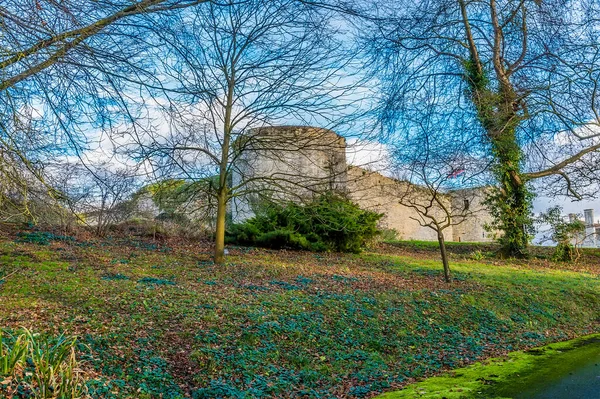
(67, 70)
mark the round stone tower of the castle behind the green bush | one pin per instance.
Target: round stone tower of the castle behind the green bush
(286, 163)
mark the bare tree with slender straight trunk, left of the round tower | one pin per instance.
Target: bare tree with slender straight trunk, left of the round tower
(241, 66)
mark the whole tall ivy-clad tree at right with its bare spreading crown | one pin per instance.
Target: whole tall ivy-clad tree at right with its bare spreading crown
(520, 76)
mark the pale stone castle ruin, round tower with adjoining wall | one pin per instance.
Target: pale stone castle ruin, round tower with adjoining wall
(297, 162)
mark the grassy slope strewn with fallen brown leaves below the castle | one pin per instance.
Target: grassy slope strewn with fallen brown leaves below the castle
(165, 321)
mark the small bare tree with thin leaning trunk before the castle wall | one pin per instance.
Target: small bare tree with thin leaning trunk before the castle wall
(439, 181)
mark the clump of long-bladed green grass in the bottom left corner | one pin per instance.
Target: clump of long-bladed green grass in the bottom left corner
(44, 368)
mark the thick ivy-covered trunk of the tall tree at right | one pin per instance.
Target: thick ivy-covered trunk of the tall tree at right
(500, 110)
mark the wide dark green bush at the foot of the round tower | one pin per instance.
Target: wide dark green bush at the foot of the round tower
(329, 223)
